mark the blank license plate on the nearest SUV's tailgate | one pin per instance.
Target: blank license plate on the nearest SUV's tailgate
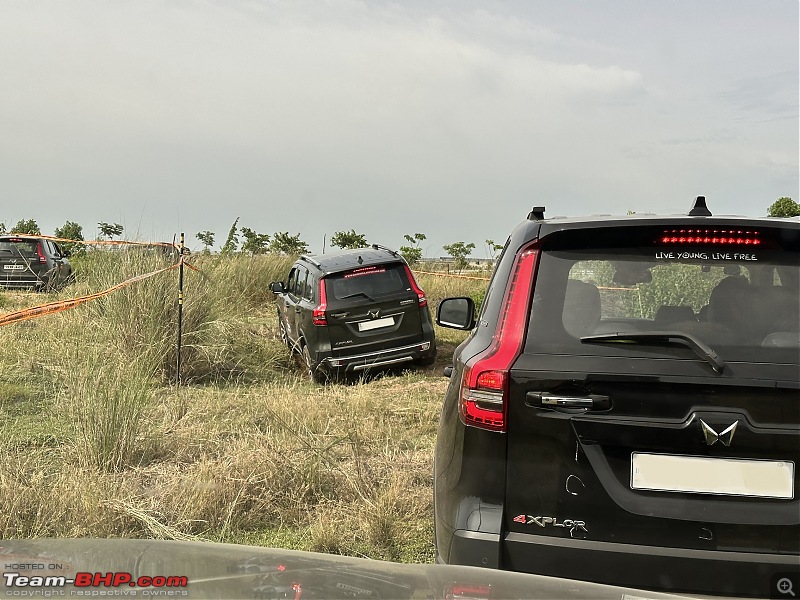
(712, 475)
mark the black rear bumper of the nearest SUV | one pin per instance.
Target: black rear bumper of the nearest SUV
(736, 574)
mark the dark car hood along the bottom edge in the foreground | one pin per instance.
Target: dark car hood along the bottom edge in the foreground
(229, 571)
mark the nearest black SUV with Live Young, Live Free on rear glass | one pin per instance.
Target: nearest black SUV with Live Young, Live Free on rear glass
(627, 408)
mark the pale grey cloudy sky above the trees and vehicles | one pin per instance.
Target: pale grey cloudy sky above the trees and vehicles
(449, 118)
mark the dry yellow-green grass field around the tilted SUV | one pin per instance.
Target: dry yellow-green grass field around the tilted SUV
(97, 441)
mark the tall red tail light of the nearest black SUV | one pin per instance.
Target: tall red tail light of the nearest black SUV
(484, 383)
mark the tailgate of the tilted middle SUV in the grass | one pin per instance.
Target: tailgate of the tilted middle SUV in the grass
(372, 308)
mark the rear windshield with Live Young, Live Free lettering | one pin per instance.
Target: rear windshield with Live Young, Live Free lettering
(743, 303)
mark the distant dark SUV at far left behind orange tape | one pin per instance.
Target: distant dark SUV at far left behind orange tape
(33, 262)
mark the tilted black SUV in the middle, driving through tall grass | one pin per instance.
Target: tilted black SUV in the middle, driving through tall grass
(354, 310)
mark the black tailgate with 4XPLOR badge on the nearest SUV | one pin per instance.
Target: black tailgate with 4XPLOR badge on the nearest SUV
(678, 428)
